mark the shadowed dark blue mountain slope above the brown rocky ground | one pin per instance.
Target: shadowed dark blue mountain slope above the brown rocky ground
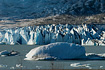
(43, 8)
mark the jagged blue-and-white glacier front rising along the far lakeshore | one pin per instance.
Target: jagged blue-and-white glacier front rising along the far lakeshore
(45, 34)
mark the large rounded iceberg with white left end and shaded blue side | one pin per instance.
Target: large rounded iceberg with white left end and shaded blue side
(57, 51)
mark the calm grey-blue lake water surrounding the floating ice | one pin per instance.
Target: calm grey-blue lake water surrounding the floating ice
(18, 62)
